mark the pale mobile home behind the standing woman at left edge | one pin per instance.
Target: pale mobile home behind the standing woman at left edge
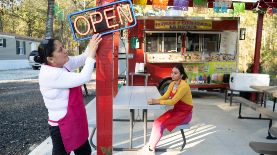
(14, 50)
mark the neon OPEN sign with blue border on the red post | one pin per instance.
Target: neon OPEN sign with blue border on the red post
(103, 19)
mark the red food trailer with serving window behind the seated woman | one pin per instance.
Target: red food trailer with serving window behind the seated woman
(207, 48)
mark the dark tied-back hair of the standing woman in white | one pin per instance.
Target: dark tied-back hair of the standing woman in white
(45, 49)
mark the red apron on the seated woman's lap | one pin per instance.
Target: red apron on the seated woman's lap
(180, 114)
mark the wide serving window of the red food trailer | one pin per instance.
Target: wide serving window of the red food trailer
(170, 42)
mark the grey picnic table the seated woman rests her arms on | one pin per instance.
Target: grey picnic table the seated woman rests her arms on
(135, 97)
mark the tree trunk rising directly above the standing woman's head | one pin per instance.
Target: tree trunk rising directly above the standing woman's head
(50, 19)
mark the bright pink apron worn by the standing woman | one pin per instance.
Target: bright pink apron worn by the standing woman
(74, 126)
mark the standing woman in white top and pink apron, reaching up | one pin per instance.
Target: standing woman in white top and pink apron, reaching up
(62, 94)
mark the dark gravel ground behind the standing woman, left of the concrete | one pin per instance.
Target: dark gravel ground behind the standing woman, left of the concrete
(23, 115)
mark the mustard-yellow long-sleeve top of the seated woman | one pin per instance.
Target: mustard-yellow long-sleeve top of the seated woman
(183, 93)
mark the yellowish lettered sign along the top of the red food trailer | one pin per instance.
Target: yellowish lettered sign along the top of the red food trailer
(184, 24)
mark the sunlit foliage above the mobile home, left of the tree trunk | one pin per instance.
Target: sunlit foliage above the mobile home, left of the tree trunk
(21, 17)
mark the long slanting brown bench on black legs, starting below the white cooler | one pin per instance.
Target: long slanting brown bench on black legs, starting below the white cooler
(256, 107)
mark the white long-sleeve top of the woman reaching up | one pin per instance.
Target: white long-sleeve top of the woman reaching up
(55, 83)
